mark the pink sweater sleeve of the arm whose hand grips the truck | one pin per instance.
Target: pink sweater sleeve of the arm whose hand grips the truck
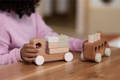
(7, 56)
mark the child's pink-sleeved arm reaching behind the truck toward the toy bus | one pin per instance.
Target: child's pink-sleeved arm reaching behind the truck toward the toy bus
(44, 30)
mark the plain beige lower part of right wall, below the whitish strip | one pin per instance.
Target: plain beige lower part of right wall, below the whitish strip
(106, 20)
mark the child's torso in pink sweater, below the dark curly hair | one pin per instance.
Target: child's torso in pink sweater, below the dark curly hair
(20, 30)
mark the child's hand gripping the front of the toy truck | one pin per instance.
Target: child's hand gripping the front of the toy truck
(28, 53)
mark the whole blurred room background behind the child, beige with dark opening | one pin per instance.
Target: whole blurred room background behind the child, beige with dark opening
(82, 17)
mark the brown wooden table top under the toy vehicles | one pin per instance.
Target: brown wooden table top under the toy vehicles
(108, 69)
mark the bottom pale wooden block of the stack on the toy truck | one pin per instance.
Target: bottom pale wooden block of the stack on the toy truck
(58, 50)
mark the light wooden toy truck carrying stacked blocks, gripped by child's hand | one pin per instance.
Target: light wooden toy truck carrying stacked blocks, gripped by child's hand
(52, 48)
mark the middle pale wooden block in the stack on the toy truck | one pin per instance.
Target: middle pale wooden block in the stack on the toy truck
(58, 45)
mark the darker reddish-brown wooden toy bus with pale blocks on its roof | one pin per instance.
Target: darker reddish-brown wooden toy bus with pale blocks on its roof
(95, 48)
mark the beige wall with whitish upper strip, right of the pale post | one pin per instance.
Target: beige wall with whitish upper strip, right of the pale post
(104, 18)
